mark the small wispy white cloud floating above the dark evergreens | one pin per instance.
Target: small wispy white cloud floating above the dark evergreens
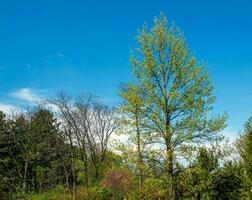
(26, 94)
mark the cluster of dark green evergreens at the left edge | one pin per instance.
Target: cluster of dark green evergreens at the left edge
(27, 141)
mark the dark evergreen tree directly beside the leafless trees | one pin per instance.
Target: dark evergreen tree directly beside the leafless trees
(44, 130)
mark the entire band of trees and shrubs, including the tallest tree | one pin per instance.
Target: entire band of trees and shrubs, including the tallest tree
(172, 146)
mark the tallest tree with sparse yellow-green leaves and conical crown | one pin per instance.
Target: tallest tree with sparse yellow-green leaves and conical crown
(177, 93)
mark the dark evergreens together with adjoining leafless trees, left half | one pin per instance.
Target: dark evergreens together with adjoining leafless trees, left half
(41, 149)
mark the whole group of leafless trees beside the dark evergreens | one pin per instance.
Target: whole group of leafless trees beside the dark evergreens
(88, 124)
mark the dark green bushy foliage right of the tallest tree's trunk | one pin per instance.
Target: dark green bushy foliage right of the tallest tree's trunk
(205, 179)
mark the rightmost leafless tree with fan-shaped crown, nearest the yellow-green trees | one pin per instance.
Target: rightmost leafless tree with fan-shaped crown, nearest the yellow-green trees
(97, 123)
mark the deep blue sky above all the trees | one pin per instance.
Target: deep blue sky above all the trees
(51, 45)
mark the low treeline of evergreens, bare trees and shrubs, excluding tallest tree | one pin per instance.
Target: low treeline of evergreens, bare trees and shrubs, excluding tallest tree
(68, 149)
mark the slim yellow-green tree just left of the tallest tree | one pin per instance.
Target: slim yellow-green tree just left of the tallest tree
(132, 117)
